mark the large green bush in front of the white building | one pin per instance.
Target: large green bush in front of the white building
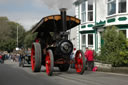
(114, 48)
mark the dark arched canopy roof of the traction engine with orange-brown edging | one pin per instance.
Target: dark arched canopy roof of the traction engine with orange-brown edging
(54, 23)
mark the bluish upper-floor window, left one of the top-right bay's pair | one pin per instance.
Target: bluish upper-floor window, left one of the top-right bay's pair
(111, 7)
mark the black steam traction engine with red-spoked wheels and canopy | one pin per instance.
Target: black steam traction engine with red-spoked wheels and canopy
(52, 47)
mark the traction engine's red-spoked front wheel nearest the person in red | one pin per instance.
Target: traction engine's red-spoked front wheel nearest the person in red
(80, 62)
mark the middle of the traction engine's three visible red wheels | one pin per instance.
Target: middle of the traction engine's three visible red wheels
(49, 62)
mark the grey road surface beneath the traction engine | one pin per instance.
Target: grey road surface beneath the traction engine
(12, 74)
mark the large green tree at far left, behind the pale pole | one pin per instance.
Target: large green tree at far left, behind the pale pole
(8, 34)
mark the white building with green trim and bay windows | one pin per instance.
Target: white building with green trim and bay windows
(95, 16)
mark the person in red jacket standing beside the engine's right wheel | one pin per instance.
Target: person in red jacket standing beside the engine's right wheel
(89, 54)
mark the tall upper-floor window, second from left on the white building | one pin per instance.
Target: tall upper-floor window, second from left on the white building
(90, 10)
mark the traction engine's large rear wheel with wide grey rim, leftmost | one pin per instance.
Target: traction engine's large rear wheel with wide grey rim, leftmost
(36, 57)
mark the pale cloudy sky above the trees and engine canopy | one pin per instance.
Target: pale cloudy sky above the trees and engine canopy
(29, 12)
